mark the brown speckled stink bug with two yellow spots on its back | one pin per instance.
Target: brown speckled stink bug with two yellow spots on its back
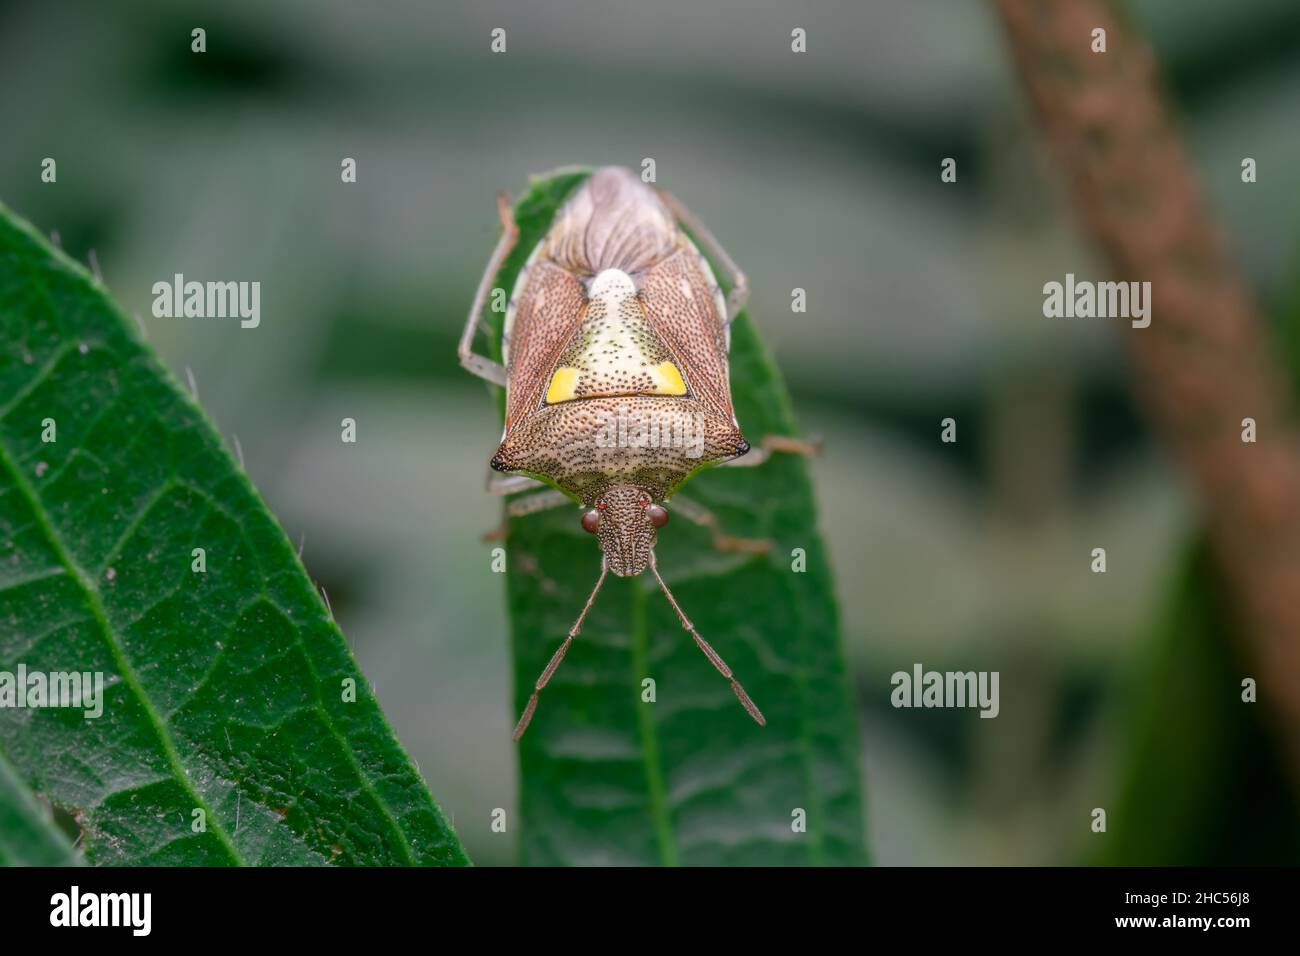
(617, 380)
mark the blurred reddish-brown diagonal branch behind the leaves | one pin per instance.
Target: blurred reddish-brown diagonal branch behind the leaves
(1203, 366)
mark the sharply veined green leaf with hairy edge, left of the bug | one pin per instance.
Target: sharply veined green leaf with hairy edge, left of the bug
(224, 737)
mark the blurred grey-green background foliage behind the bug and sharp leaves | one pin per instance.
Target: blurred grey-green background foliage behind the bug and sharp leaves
(817, 171)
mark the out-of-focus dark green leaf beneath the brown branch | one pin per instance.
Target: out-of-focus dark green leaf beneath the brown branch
(1203, 782)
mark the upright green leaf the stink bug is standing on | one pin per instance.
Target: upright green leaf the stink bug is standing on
(691, 778)
